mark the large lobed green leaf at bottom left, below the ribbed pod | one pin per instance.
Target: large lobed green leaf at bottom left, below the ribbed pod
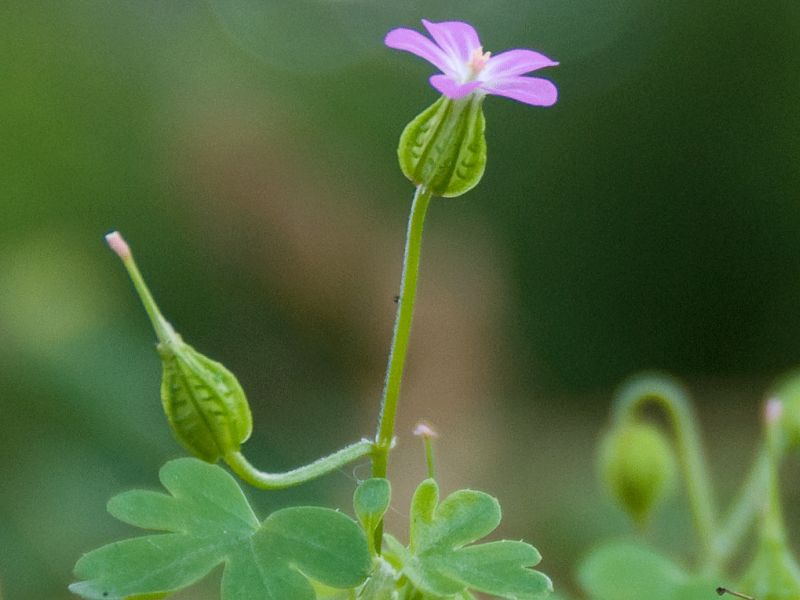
(206, 521)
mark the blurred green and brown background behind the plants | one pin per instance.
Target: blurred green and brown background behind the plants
(246, 149)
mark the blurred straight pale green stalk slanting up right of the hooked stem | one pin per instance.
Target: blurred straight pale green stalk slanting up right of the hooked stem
(748, 503)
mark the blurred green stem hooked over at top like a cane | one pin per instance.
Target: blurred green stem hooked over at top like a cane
(673, 399)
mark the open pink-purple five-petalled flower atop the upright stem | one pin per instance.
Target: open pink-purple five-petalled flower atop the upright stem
(465, 68)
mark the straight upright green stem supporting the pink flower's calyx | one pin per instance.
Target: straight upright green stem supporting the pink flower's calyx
(402, 331)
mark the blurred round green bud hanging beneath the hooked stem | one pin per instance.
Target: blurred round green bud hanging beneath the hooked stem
(638, 467)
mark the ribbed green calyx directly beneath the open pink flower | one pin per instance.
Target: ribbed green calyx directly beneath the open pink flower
(444, 147)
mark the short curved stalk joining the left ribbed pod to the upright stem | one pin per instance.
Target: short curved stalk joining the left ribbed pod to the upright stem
(276, 481)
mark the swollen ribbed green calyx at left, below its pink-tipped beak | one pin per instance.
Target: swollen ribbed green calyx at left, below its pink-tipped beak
(204, 403)
